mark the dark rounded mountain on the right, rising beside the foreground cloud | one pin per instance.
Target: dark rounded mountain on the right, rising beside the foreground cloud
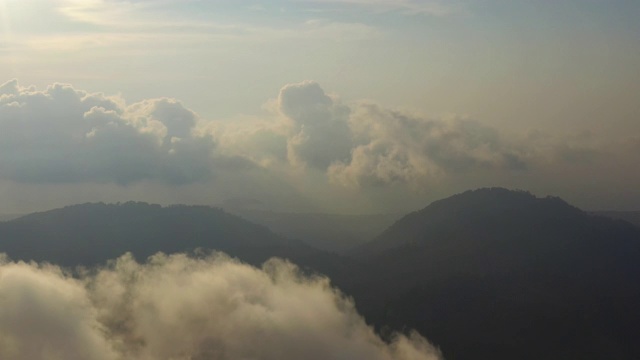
(501, 274)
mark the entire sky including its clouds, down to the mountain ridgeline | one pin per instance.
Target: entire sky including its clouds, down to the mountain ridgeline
(342, 106)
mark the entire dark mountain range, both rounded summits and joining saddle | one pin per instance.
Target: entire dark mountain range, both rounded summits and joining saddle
(489, 273)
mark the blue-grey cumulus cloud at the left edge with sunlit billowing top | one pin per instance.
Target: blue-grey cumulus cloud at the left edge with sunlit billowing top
(66, 135)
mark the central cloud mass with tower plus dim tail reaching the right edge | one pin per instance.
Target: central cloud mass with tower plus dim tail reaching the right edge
(362, 145)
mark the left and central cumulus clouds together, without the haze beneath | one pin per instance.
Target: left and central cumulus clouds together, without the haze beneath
(62, 134)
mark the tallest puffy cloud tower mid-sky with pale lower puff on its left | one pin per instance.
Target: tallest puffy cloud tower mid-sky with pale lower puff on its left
(308, 129)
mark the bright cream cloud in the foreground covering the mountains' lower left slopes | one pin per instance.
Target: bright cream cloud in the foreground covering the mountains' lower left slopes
(177, 307)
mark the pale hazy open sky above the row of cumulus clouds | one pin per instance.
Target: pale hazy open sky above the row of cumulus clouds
(429, 56)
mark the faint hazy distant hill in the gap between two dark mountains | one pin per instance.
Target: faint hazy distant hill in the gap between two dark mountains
(329, 232)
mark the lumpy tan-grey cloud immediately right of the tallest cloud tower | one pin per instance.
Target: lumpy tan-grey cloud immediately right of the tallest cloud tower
(394, 147)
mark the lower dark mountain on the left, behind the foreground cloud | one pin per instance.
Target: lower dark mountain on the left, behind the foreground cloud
(90, 234)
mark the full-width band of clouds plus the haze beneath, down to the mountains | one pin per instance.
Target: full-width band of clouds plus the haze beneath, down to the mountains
(309, 150)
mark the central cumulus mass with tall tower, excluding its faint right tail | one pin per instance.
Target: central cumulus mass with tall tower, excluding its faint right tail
(364, 145)
